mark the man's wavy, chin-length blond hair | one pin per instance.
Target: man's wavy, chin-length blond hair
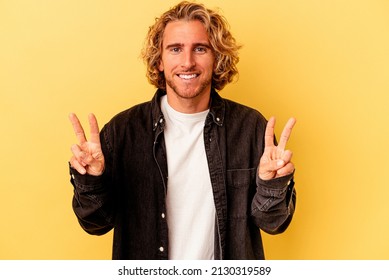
(222, 42)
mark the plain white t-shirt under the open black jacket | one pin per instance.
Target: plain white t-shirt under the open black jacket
(190, 204)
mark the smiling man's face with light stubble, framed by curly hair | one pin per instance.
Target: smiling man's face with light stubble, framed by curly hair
(187, 60)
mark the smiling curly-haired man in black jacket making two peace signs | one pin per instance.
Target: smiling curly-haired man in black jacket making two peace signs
(188, 175)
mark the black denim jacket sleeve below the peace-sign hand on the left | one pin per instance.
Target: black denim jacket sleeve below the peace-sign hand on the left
(93, 197)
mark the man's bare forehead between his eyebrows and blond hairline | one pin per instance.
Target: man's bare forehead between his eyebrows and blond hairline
(183, 31)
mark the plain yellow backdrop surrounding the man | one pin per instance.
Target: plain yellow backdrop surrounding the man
(323, 61)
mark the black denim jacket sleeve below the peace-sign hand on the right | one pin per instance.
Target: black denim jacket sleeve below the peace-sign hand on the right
(273, 205)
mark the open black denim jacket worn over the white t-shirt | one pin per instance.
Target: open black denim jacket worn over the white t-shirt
(130, 195)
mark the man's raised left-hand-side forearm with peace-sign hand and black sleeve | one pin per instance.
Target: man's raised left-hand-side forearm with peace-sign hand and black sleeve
(92, 199)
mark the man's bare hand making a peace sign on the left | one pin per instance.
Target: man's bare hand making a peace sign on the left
(87, 156)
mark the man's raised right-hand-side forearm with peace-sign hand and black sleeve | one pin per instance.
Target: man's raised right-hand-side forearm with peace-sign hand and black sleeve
(274, 202)
